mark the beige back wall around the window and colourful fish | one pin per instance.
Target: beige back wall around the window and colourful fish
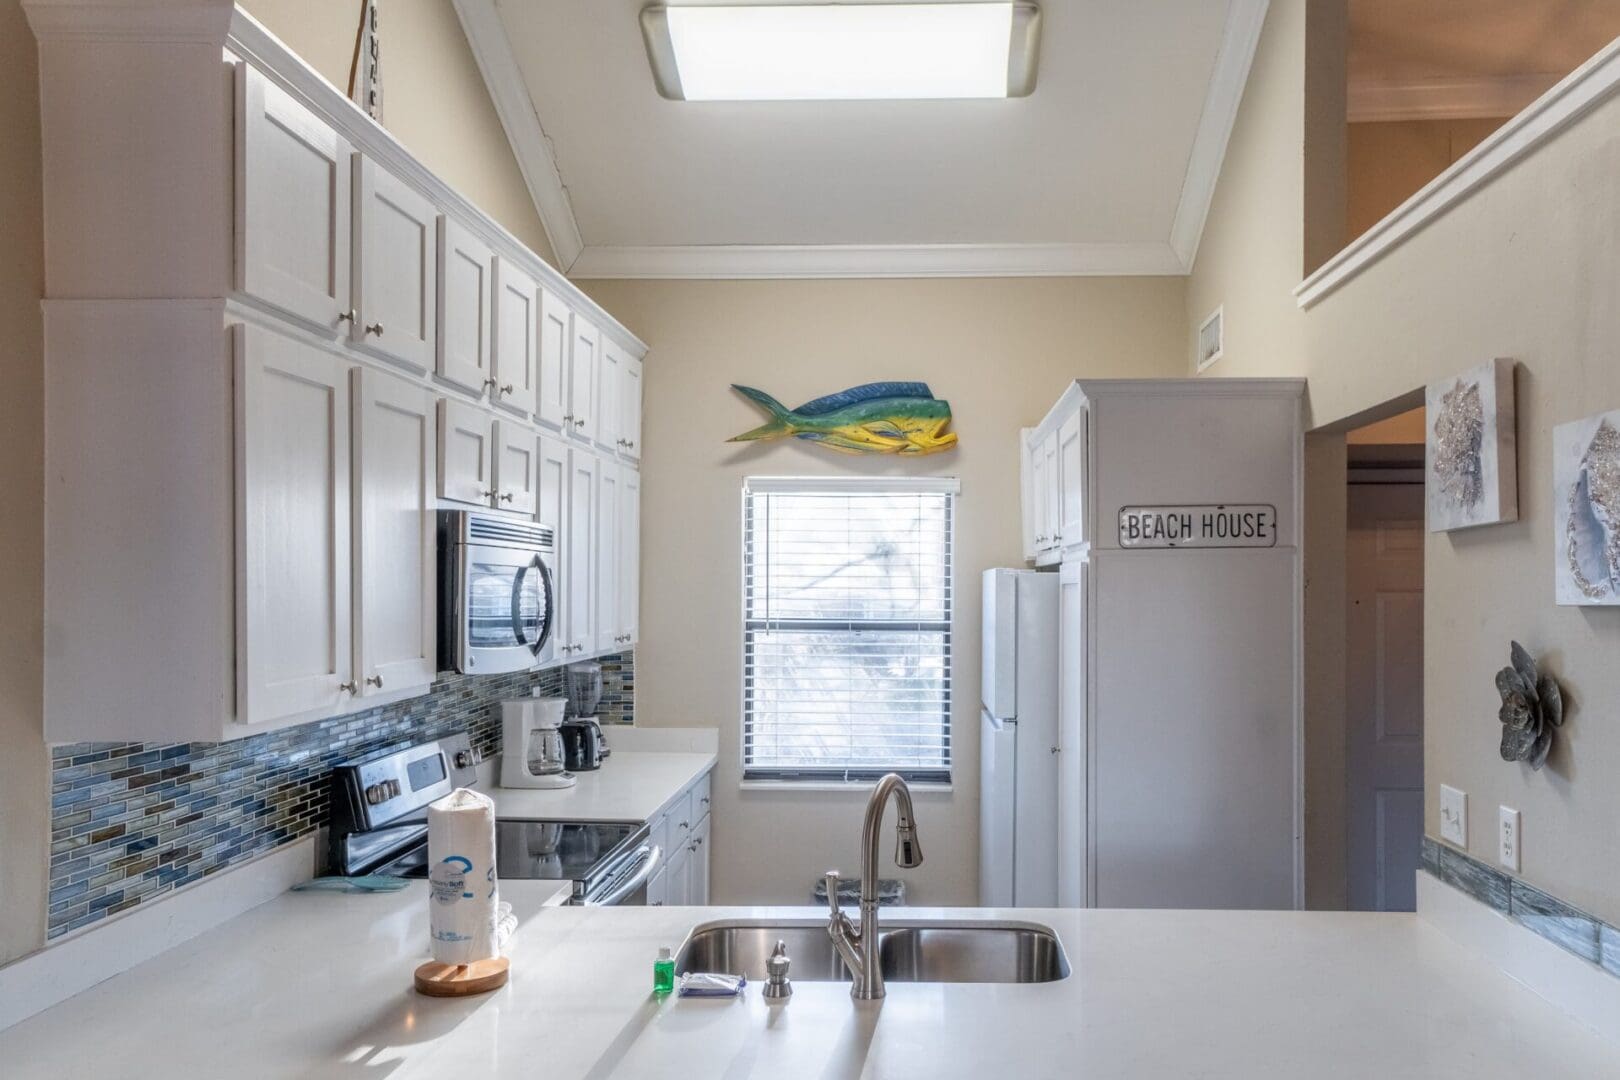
(999, 351)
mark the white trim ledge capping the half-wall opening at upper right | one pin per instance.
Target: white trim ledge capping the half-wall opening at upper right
(1588, 87)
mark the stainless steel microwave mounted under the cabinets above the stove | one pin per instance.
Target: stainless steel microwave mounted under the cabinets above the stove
(498, 593)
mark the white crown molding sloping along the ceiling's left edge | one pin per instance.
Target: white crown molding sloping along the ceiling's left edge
(488, 40)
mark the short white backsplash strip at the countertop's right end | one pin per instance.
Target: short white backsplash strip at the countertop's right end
(1572, 985)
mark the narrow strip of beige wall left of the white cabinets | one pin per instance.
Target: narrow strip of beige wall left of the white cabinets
(25, 775)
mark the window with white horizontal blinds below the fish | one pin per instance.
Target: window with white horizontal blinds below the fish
(848, 629)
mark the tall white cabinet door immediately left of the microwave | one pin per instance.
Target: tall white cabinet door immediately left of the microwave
(396, 480)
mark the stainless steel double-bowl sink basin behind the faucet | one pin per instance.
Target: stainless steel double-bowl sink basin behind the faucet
(908, 953)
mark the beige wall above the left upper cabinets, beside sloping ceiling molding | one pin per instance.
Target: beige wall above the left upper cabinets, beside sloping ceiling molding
(433, 96)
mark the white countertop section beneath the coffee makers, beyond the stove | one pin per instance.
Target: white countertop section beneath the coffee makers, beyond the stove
(631, 786)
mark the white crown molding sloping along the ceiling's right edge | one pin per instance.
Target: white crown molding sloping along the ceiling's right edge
(1238, 45)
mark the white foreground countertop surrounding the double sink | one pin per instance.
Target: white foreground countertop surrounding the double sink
(318, 985)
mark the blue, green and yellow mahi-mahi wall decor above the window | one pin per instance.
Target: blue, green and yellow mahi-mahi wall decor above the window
(872, 419)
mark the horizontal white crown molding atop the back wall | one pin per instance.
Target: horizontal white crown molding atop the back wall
(827, 261)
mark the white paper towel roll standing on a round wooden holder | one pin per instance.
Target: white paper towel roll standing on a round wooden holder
(463, 901)
